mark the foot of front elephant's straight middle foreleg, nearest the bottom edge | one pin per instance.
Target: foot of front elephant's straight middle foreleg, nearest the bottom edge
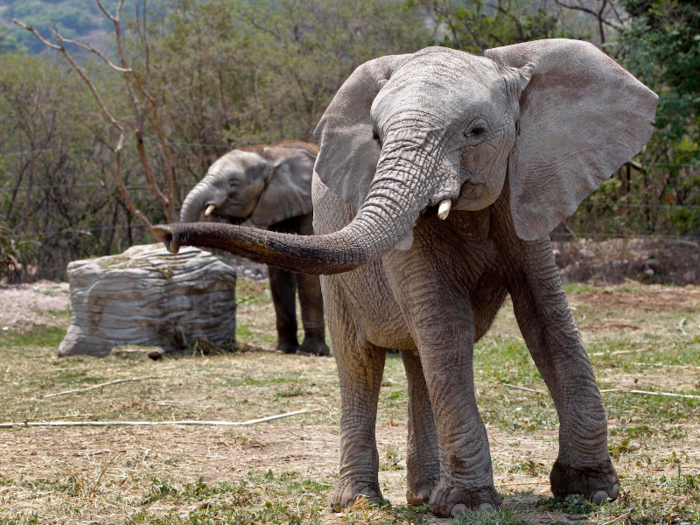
(452, 500)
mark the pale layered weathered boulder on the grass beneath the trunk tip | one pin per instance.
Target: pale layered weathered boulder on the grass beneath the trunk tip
(148, 296)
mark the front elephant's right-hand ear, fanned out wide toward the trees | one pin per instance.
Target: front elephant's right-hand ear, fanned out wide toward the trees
(582, 116)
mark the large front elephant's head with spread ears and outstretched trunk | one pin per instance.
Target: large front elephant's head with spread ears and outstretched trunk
(445, 128)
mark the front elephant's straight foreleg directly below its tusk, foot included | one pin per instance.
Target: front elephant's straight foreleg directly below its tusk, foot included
(442, 326)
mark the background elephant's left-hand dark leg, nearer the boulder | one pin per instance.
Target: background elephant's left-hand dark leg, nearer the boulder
(283, 289)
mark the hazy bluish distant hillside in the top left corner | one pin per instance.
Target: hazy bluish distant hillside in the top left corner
(75, 18)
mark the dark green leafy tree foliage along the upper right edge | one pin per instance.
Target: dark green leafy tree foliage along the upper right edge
(661, 46)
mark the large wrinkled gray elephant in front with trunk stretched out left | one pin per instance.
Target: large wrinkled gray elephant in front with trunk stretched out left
(515, 140)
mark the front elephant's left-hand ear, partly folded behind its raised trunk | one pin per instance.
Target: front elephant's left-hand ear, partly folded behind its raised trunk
(348, 151)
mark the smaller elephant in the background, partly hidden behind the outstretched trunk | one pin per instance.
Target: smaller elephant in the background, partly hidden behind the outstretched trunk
(271, 187)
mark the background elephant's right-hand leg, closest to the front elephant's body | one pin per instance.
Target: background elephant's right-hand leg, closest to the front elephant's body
(311, 302)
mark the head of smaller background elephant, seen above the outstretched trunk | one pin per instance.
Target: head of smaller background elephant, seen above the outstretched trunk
(266, 184)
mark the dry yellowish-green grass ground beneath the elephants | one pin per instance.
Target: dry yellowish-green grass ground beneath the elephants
(283, 471)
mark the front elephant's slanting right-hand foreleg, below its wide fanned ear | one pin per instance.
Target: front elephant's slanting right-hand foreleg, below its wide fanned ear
(583, 465)
